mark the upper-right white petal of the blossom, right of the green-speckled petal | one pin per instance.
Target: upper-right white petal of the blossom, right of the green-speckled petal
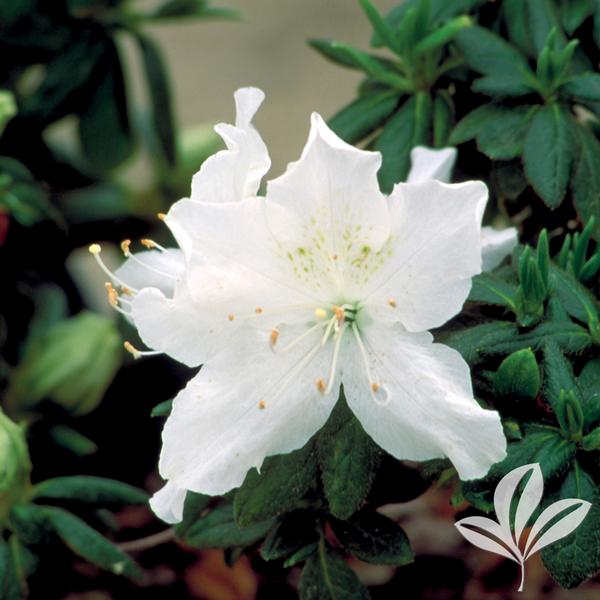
(433, 252)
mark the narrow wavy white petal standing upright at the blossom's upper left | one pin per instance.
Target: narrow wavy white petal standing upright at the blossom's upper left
(235, 173)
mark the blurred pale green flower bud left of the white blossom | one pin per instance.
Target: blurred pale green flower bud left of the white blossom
(72, 363)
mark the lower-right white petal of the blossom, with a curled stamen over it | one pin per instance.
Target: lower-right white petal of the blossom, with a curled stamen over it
(430, 411)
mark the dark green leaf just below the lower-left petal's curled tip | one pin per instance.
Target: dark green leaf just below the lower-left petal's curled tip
(218, 529)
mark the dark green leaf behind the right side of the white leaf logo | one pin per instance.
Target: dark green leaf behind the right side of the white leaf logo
(573, 559)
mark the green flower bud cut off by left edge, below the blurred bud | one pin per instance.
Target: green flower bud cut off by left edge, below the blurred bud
(15, 466)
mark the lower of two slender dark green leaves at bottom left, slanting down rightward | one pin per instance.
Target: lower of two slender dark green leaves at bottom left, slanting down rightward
(89, 544)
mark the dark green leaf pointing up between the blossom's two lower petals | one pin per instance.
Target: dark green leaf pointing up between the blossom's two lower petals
(348, 459)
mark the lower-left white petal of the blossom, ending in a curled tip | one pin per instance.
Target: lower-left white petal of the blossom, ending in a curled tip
(217, 430)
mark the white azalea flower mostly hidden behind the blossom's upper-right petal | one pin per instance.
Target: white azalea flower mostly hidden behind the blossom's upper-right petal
(427, 163)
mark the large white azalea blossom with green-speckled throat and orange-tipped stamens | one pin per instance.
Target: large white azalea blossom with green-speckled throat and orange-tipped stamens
(282, 299)
